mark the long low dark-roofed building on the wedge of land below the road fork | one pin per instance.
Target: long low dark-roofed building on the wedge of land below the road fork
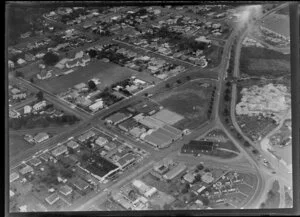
(197, 147)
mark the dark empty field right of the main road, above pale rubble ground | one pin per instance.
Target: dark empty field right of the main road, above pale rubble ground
(257, 61)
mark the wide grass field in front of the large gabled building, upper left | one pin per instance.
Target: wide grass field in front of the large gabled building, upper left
(108, 73)
